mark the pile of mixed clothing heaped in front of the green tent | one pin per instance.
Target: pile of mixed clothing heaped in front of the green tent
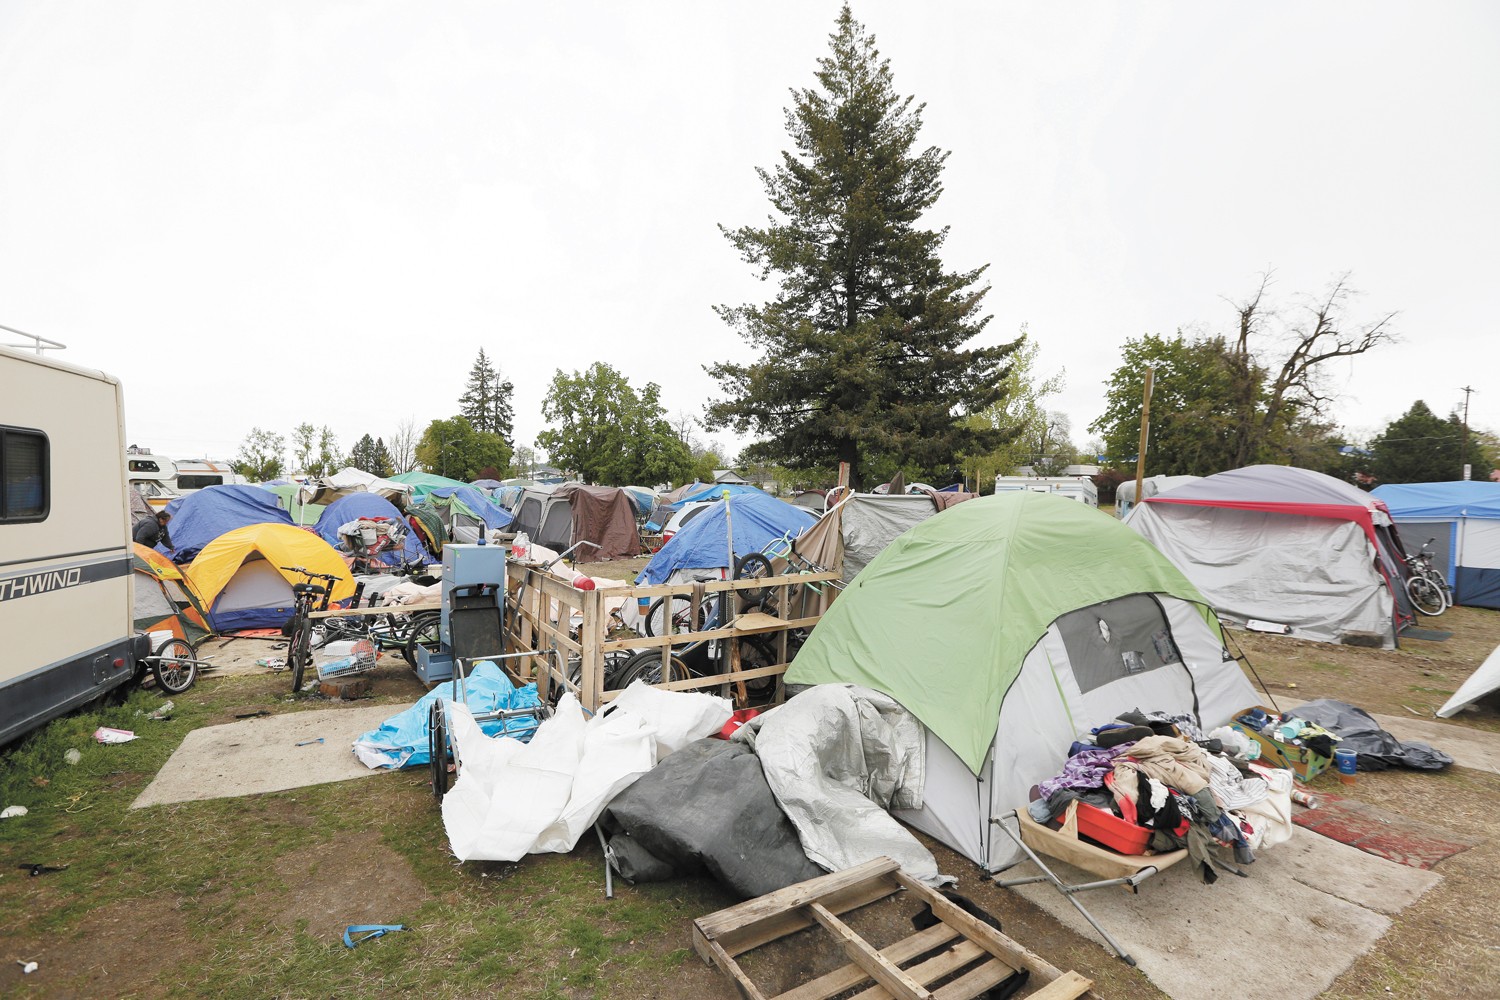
(1160, 773)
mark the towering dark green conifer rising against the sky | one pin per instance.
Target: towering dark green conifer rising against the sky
(862, 353)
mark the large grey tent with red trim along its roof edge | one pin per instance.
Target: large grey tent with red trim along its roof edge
(1286, 546)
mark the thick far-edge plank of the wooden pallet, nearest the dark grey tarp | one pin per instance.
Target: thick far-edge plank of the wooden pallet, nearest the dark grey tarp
(754, 923)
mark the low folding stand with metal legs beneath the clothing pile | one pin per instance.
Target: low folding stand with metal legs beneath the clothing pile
(1064, 845)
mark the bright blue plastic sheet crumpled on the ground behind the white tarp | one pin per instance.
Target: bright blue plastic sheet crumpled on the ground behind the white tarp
(403, 740)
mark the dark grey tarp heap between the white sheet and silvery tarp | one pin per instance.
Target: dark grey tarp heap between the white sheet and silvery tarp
(707, 809)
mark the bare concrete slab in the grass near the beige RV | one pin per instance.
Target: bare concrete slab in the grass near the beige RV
(262, 755)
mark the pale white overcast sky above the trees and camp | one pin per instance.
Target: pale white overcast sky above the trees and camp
(274, 212)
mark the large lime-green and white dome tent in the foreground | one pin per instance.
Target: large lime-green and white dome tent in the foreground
(1009, 627)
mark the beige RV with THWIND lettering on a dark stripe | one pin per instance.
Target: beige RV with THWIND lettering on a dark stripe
(65, 542)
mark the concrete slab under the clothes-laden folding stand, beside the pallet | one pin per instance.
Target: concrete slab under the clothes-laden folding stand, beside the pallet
(1309, 909)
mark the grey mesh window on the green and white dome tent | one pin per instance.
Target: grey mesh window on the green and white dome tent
(1117, 639)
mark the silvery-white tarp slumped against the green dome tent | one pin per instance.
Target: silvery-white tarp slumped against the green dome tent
(838, 758)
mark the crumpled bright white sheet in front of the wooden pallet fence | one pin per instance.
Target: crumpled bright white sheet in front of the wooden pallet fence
(515, 800)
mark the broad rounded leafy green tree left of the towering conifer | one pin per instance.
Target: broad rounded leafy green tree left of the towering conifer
(607, 433)
